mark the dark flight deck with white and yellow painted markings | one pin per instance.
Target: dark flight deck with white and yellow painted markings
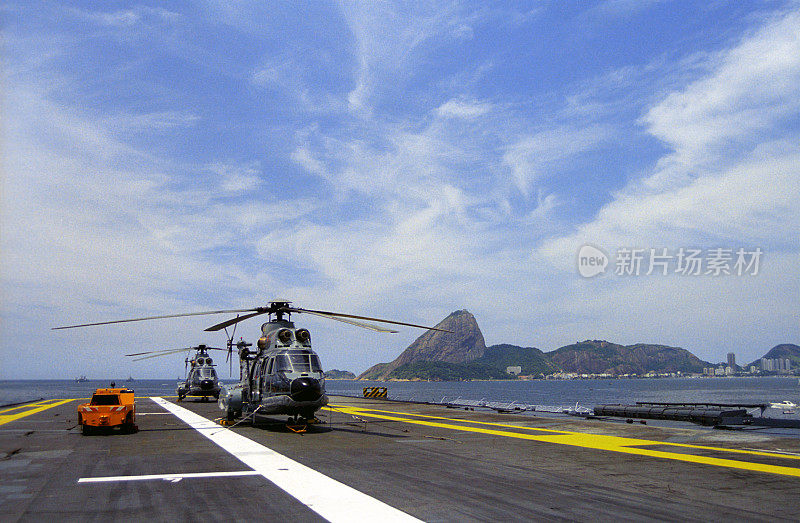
(372, 459)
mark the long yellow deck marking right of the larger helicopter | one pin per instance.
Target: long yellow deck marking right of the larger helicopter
(591, 441)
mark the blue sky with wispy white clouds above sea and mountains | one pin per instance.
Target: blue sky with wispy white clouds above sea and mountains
(402, 160)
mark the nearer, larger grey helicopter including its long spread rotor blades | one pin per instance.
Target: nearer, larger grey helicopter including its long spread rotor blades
(283, 375)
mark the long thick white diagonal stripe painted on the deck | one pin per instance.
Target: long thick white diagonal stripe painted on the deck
(327, 497)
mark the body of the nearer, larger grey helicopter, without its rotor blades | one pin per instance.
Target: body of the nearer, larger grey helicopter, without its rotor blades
(282, 377)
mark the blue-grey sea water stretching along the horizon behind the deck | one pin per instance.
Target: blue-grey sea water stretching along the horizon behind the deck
(586, 393)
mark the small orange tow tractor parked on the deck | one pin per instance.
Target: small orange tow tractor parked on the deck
(108, 408)
